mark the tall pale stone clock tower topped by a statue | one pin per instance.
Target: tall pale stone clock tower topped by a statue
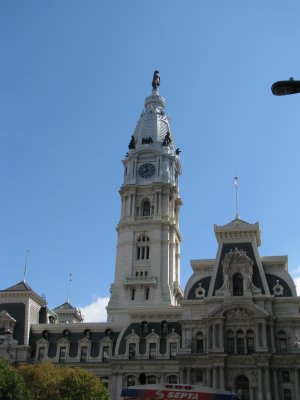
(147, 271)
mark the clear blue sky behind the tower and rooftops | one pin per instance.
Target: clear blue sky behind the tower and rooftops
(73, 79)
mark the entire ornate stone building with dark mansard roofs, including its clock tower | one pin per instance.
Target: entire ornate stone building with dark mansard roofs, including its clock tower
(236, 324)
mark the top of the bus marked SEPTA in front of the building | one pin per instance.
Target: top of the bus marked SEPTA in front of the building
(176, 391)
